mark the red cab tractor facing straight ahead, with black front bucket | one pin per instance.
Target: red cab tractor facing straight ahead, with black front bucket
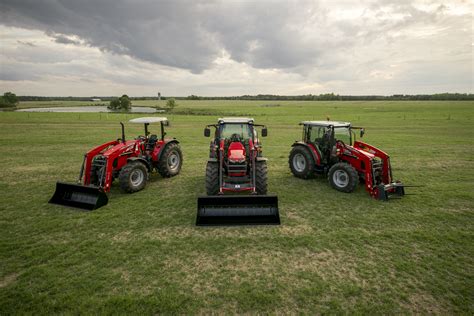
(236, 165)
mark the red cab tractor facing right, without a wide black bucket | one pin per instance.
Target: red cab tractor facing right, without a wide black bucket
(330, 148)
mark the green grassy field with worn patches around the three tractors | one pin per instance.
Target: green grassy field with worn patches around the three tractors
(333, 253)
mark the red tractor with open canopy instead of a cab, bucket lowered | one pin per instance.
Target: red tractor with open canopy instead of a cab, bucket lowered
(131, 161)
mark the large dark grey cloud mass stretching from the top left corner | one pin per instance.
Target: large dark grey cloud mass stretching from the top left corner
(183, 34)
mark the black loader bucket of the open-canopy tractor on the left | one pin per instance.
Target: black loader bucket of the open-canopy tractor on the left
(79, 196)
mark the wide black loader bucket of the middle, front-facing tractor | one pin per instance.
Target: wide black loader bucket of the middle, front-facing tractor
(238, 210)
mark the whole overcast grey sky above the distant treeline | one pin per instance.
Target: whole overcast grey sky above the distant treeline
(140, 47)
